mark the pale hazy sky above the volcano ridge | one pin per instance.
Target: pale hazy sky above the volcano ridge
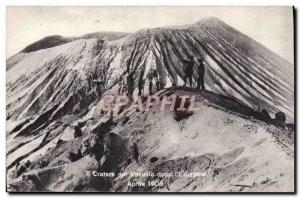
(271, 26)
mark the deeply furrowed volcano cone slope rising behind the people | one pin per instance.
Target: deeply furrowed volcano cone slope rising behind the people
(236, 66)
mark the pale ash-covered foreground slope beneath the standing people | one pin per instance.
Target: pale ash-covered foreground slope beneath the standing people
(233, 152)
